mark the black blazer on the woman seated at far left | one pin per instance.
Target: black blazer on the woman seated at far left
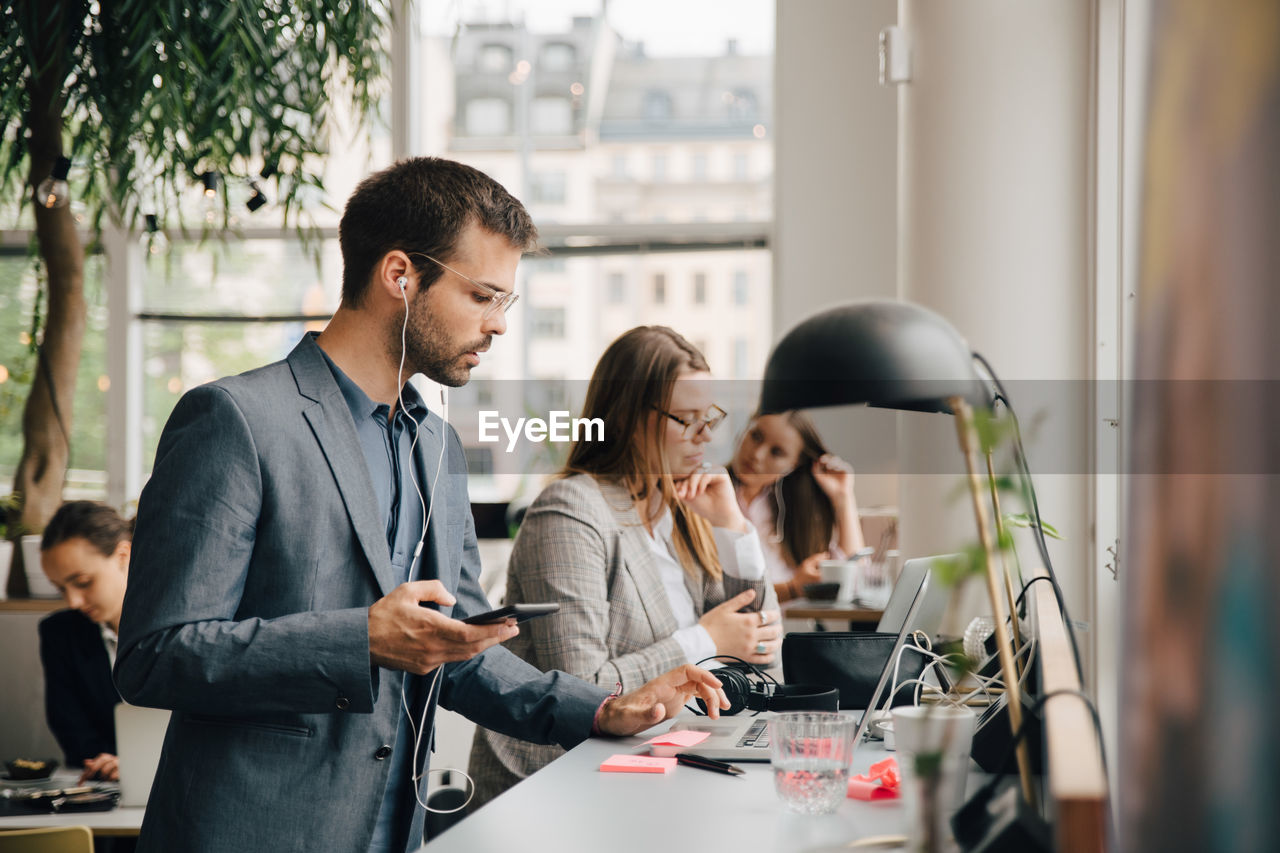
(80, 696)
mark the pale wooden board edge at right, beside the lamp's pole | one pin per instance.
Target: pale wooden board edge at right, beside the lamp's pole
(1077, 783)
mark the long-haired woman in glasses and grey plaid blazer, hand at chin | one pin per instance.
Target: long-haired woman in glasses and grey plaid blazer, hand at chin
(641, 544)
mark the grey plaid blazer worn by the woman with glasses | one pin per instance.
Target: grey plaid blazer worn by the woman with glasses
(583, 545)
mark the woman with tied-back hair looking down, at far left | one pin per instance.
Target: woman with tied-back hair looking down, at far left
(85, 553)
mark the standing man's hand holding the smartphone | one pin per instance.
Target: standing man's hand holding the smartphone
(405, 636)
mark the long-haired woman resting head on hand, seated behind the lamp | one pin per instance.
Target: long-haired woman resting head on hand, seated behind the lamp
(799, 496)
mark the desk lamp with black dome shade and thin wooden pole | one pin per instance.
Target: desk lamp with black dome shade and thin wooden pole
(895, 355)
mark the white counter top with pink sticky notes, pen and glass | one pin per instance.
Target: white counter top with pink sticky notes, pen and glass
(573, 808)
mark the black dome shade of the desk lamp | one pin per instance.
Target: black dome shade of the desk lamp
(894, 355)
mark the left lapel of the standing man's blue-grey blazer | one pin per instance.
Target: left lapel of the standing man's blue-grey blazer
(331, 423)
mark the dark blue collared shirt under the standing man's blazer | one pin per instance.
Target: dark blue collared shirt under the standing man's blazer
(387, 444)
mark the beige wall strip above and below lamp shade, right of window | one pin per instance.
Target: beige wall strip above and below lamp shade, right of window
(836, 197)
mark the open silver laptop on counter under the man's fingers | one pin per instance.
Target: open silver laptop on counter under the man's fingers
(748, 738)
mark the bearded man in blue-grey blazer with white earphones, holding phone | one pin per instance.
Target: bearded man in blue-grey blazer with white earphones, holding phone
(305, 550)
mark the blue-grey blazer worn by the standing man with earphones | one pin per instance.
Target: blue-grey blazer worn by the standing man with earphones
(258, 554)
